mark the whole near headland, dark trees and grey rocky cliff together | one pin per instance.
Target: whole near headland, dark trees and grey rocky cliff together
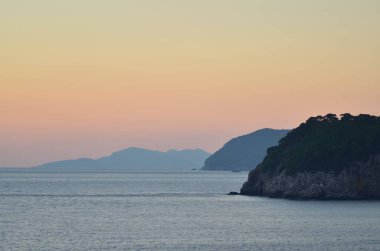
(324, 158)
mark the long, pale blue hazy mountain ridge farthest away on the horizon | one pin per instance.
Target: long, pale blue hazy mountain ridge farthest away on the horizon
(136, 158)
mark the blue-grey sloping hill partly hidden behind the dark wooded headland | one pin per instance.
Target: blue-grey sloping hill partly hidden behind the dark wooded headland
(244, 153)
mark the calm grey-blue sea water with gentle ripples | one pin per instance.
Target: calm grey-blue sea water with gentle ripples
(171, 210)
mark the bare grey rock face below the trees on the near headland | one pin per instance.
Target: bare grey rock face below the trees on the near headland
(361, 180)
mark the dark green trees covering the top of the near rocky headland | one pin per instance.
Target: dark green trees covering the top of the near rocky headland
(325, 143)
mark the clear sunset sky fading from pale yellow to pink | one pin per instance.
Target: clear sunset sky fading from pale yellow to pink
(84, 78)
